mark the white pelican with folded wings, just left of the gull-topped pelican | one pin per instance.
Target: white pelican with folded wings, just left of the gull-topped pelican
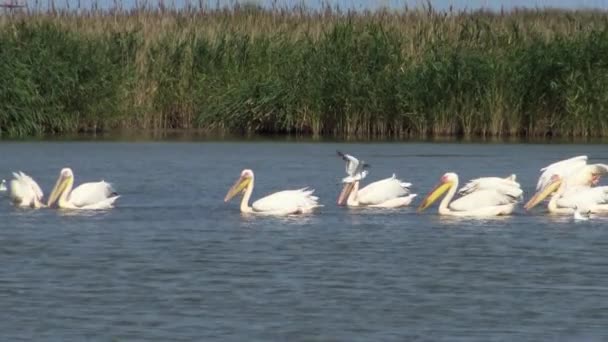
(286, 202)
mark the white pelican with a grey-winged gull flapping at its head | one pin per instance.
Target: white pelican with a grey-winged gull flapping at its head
(386, 193)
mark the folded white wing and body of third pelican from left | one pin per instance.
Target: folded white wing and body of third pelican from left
(288, 201)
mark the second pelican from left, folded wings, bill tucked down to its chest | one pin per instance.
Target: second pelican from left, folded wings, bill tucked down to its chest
(92, 195)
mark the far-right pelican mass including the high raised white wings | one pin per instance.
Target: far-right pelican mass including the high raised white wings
(571, 182)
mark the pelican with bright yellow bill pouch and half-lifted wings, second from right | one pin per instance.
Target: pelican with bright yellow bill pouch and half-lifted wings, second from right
(486, 196)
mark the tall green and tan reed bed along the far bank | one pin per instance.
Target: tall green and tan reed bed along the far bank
(413, 73)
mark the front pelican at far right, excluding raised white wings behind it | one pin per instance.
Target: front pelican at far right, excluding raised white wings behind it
(566, 198)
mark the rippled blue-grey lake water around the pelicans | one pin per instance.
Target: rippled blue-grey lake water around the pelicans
(172, 262)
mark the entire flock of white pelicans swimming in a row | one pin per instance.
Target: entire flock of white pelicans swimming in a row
(569, 186)
